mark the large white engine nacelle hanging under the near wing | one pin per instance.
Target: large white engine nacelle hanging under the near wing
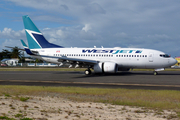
(106, 67)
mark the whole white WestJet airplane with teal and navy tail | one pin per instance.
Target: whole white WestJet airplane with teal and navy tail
(101, 60)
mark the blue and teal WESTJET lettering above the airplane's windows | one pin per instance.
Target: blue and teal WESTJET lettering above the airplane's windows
(111, 51)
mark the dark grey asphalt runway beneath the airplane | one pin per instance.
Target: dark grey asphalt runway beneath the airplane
(166, 80)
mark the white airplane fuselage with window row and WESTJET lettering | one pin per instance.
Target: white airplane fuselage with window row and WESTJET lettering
(123, 57)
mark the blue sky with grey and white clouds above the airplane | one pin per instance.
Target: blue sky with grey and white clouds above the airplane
(152, 24)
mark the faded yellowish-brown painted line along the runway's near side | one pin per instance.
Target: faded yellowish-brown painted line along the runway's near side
(88, 83)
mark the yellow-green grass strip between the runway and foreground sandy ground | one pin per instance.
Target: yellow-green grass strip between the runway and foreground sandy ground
(154, 99)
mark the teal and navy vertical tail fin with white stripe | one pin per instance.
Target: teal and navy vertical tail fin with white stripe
(34, 37)
